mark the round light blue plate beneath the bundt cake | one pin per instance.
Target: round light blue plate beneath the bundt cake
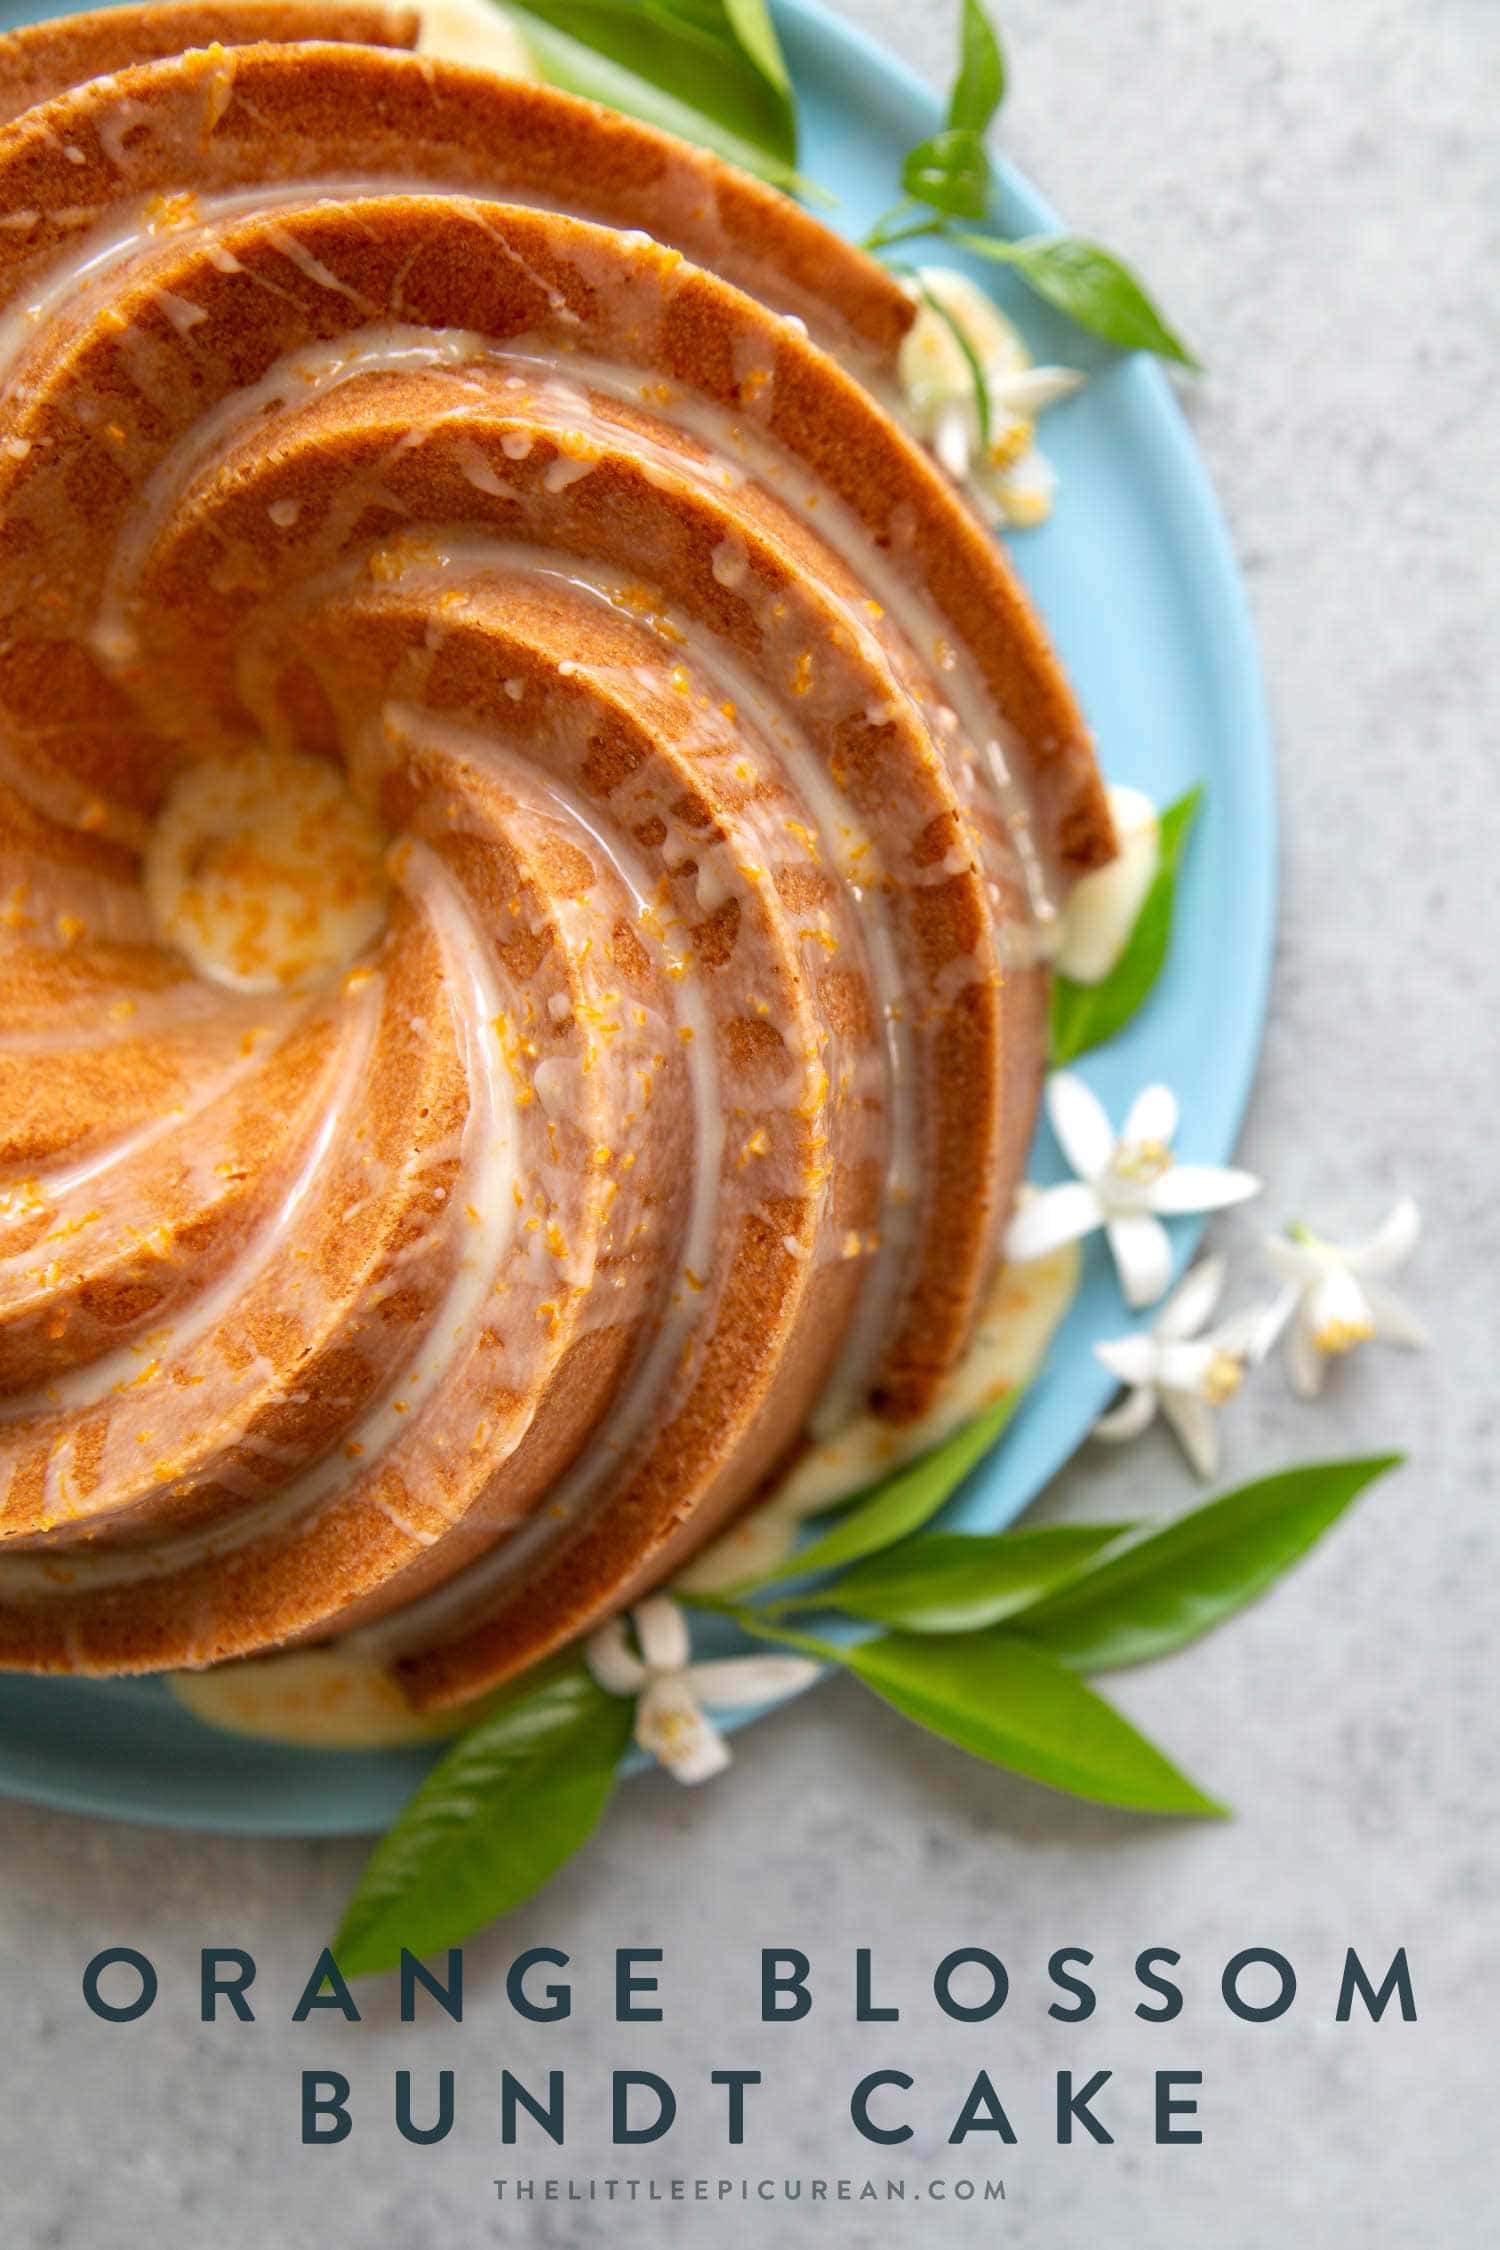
(1139, 591)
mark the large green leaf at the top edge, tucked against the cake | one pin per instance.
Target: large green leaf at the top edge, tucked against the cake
(710, 71)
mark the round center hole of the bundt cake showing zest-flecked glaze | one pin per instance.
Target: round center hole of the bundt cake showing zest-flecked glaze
(266, 872)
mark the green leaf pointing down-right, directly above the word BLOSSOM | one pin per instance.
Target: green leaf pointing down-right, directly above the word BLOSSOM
(1020, 1709)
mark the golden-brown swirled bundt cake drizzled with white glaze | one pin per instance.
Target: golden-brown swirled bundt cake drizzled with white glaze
(530, 822)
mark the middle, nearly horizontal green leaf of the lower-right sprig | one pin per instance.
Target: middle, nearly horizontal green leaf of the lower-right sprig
(955, 1583)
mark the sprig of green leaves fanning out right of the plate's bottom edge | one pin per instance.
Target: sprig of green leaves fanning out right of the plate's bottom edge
(991, 1635)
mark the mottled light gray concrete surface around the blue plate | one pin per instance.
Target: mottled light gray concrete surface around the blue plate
(1310, 192)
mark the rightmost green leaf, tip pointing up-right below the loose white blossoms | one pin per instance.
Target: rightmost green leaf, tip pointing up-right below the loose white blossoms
(1168, 1587)
